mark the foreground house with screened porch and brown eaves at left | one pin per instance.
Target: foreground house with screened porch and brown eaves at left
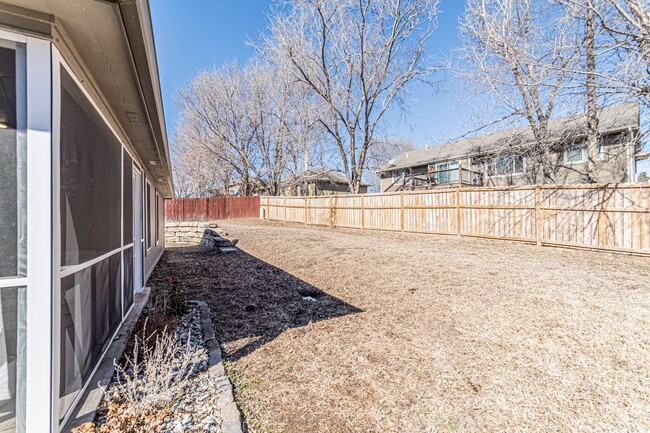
(84, 169)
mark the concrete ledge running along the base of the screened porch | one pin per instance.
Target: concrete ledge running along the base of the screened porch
(86, 409)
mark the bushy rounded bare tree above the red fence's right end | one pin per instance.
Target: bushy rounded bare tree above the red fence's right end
(248, 121)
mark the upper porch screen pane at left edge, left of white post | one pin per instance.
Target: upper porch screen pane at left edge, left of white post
(13, 181)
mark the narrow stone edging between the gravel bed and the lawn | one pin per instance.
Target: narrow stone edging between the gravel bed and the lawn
(232, 420)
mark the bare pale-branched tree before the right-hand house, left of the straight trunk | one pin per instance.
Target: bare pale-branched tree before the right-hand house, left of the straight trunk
(521, 51)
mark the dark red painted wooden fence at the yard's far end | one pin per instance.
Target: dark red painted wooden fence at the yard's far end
(211, 209)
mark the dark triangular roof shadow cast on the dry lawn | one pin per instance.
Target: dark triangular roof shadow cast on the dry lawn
(251, 301)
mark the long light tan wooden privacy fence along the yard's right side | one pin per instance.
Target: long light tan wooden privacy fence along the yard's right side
(614, 218)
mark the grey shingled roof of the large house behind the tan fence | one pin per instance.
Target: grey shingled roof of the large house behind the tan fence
(611, 119)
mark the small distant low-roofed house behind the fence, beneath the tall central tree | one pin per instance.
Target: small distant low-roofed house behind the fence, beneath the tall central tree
(318, 182)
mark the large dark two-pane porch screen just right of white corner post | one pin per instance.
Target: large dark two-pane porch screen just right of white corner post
(91, 165)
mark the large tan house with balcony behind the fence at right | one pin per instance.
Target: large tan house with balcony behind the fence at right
(502, 158)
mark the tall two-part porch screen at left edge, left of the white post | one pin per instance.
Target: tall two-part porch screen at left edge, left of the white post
(13, 235)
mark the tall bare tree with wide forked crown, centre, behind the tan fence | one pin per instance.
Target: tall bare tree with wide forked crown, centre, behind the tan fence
(358, 57)
